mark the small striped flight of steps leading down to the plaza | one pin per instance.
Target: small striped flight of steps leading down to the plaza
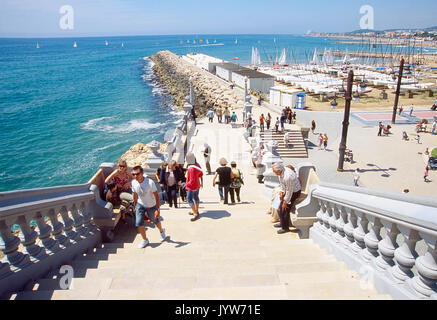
(296, 147)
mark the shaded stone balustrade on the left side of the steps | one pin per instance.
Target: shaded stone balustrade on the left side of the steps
(53, 226)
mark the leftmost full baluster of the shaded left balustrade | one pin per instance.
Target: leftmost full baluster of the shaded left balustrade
(9, 246)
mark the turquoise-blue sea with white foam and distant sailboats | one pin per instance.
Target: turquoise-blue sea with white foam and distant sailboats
(65, 110)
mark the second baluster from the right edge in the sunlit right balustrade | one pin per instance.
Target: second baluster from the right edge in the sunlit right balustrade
(405, 255)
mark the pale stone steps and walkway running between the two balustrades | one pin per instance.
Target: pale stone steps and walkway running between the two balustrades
(231, 252)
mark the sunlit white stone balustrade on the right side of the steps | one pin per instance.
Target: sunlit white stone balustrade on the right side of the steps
(390, 238)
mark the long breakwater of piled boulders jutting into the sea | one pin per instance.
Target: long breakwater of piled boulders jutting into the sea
(175, 73)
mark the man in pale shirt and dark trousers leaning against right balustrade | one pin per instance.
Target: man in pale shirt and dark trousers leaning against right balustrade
(290, 190)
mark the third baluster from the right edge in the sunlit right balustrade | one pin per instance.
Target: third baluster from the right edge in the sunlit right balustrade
(387, 247)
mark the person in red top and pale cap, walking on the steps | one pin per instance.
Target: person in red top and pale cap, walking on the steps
(193, 184)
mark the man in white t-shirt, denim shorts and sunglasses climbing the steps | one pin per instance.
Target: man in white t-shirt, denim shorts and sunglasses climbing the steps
(146, 202)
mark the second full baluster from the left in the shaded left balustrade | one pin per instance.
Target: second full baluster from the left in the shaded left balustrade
(28, 238)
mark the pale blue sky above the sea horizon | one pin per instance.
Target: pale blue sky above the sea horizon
(41, 18)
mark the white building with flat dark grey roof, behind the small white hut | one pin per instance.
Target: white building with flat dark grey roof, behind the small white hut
(257, 81)
